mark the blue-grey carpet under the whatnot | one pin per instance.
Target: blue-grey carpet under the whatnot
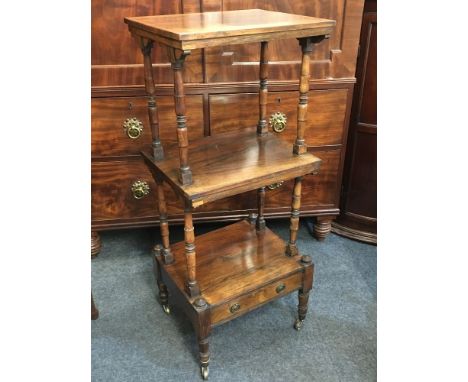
(133, 340)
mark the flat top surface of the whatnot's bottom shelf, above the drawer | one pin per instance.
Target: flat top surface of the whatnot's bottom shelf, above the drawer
(234, 260)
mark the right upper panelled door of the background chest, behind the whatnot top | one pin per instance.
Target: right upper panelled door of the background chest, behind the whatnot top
(334, 58)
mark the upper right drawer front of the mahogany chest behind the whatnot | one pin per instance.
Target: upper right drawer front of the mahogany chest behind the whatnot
(325, 117)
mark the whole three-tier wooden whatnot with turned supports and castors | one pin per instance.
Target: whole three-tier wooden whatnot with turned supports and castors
(240, 267)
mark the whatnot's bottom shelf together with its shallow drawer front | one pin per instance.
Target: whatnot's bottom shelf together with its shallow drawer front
(238, 269)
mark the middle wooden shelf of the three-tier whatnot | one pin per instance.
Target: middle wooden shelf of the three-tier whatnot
(231, 163)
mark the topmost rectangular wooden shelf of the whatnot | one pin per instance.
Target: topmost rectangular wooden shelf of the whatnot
(200, 30)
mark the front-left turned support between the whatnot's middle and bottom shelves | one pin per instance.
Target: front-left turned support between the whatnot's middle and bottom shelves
(190, 254)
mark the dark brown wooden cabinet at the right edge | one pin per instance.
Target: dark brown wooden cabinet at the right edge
(358, 217)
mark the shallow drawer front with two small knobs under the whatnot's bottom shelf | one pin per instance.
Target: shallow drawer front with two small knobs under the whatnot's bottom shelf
(246, 303)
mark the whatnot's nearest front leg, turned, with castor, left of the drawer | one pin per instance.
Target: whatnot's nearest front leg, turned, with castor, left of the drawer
(203, 329)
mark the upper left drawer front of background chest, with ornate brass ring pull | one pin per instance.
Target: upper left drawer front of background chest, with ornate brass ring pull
(110, 134)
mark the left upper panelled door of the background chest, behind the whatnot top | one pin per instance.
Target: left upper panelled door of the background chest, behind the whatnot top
(116, 59)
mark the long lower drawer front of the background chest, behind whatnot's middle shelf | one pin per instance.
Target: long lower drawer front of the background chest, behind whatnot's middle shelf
(113, 203)
